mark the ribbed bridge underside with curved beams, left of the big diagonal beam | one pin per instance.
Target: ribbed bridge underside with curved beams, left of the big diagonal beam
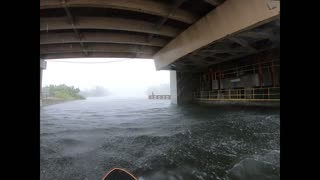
(115, 28)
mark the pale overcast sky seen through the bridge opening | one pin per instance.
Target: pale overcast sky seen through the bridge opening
(128, 77)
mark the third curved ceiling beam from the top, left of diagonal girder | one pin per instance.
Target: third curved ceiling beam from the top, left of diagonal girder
(100, 37)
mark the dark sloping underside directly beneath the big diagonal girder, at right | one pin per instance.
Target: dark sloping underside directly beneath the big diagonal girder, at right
(249, 42)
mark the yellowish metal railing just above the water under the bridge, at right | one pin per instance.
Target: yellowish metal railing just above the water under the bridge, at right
(243, 94)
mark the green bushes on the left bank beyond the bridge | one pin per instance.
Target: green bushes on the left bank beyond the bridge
(62, 92)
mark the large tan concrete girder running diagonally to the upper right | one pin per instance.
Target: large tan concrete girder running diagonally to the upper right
(231, 17)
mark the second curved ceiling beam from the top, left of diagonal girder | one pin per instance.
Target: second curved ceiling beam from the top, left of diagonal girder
(106, 23)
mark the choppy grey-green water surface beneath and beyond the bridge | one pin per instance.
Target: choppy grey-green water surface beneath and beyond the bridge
(157, 140)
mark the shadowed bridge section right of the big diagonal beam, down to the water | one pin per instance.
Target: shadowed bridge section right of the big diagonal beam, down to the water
(242, 68)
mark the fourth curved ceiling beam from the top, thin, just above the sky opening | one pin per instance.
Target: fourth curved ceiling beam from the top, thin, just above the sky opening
(67, 48)
